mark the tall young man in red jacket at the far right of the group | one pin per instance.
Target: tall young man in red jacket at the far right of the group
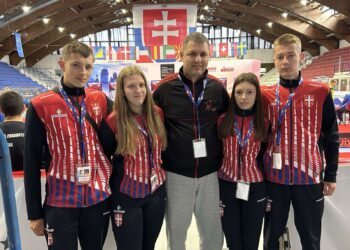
(301, 114)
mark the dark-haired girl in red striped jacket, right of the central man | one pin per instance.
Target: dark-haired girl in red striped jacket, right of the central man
(241, 178)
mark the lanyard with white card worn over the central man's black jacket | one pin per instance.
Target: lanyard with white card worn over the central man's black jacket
(199, 144)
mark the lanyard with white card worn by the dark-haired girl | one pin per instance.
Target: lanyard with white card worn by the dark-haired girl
(242, 190)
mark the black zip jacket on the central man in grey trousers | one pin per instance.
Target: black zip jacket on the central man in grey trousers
(181, 124)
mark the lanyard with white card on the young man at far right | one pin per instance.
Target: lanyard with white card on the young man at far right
(277, 156)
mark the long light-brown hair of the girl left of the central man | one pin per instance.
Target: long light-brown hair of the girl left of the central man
(127, 130)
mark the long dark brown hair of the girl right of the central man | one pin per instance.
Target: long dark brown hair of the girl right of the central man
(227, 126)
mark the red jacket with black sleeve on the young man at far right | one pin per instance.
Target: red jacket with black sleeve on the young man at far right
(300, 133)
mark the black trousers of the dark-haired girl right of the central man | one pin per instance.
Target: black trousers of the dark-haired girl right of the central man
(242, 220)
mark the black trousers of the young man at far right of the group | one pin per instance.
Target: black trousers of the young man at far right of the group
(308, 205)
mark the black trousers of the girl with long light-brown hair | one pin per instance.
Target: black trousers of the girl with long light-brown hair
(137, 221)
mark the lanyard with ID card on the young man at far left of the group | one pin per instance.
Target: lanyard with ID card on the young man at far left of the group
(83, 169)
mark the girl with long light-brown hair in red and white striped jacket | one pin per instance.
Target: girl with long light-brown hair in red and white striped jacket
(134, 136)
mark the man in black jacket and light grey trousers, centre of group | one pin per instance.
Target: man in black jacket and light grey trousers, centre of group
(192, 100)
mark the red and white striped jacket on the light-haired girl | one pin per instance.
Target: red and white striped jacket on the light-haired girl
(136, 168)
